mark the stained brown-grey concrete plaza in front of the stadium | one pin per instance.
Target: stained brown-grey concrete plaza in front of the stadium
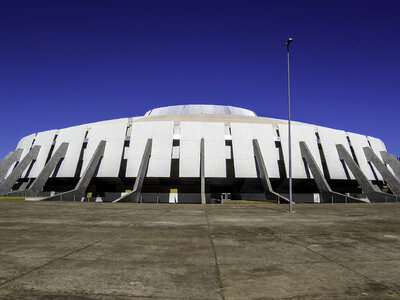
(66, 250)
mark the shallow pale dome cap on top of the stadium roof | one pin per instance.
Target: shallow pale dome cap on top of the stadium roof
(200, 109)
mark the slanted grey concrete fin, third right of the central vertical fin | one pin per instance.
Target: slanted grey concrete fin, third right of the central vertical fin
(367, 187)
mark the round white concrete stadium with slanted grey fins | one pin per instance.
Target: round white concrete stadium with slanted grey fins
(199, 154)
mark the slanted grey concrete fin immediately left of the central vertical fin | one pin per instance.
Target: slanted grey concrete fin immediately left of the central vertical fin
(137, 188)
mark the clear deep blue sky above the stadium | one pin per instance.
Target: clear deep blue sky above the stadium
(65, 63)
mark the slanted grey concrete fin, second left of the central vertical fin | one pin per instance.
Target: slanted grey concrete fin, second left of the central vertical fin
(78, 192)
